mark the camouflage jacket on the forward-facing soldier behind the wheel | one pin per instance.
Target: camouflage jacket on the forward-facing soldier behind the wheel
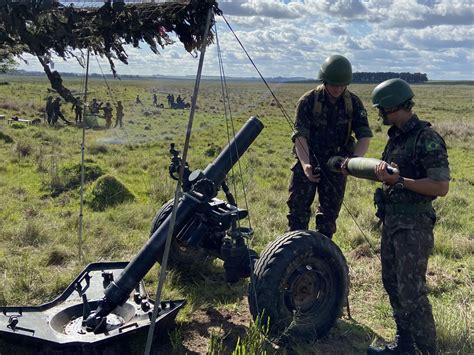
(327, 131)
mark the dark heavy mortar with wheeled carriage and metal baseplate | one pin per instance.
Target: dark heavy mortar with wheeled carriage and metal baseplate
(299, 282)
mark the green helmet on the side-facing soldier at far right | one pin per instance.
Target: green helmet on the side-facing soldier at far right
(391, 93)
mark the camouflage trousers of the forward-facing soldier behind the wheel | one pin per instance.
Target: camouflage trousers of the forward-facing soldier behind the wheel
(302, 192)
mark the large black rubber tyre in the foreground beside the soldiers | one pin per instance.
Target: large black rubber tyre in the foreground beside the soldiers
(280, 274)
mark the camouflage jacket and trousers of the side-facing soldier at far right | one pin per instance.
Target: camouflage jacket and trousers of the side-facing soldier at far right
(407, 234)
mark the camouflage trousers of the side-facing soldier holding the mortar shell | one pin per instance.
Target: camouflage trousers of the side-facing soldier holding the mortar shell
(407, 242)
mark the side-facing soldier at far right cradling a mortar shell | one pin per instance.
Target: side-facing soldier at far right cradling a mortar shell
(404, 206)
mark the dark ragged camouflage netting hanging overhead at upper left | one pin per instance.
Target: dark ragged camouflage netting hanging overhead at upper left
(44, 28)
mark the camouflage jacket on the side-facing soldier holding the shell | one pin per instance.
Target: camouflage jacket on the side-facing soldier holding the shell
(420, 152)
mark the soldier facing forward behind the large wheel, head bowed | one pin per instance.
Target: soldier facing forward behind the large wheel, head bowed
(325, 119)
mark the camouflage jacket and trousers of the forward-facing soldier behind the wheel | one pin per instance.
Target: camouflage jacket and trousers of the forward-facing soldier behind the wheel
(328, 132)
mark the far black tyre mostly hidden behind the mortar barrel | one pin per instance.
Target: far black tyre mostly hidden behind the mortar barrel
(179, 255)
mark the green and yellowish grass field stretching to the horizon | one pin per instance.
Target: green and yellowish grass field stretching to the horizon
(39, 211)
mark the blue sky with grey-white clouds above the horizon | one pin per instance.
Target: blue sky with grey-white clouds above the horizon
(292, 38)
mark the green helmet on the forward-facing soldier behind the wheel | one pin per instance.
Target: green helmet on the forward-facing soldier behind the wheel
(336, 70)
